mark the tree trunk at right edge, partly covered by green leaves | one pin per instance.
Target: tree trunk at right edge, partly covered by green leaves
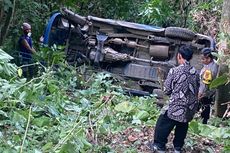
(223, 92)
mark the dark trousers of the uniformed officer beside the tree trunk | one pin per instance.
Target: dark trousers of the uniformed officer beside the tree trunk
(205, 105)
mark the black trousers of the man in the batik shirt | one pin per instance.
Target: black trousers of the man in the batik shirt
(164, 127)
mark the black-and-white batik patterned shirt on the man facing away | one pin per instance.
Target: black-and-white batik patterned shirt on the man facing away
(182, 85)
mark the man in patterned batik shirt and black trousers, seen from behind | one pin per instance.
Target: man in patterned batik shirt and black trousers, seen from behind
(181, 84)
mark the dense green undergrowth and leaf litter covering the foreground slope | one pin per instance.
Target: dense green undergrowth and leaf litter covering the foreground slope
(60, 110)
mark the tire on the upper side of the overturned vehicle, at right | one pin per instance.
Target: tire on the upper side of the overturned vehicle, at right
(180, 33)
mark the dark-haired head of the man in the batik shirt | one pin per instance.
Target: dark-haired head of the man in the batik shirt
(184, 54)
